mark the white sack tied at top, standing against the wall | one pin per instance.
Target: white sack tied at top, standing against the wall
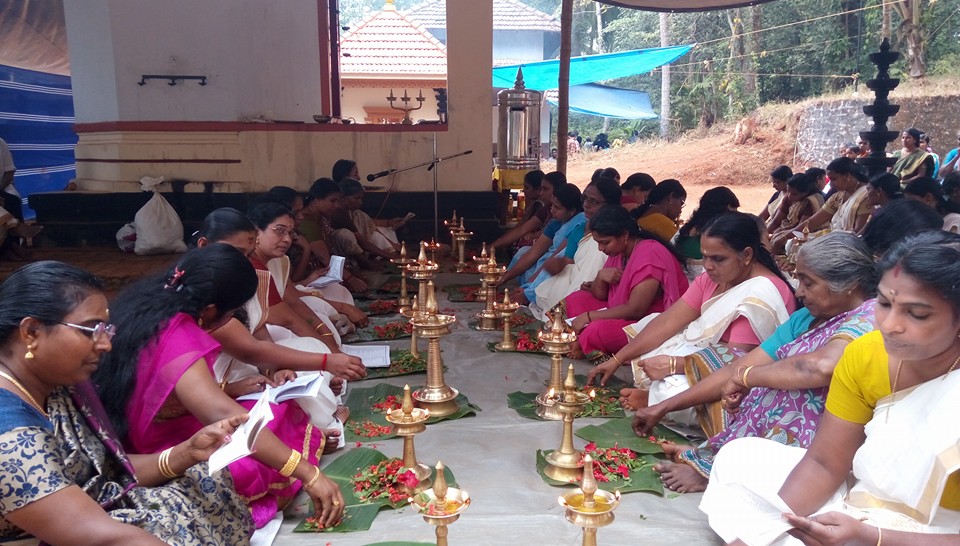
(158, 228)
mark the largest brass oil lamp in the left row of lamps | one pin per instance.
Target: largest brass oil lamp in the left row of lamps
(436, 395)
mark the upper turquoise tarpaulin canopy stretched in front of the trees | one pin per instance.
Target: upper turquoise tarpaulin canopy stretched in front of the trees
(543, 75)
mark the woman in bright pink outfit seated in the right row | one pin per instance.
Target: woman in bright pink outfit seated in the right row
(641, 275)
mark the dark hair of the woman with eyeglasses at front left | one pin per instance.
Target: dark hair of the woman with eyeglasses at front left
(46, 291)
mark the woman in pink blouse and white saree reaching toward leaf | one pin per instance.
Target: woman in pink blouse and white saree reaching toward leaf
(740, 299)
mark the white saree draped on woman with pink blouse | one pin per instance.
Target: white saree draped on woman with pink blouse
(757, 299)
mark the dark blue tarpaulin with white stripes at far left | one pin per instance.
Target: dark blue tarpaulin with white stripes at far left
(36, 121)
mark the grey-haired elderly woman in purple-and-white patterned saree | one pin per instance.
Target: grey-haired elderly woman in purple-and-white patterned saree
(776, 391)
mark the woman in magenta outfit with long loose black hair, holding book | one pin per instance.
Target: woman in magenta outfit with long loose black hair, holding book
(158, 388)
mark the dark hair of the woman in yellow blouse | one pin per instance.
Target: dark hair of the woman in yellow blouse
(932, 258)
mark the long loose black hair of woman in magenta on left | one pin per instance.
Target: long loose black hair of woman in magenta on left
(217, 275)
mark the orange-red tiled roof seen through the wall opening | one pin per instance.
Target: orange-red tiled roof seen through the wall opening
(389, 44)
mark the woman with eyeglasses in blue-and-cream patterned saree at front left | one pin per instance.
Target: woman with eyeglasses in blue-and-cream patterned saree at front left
(65, 479)
